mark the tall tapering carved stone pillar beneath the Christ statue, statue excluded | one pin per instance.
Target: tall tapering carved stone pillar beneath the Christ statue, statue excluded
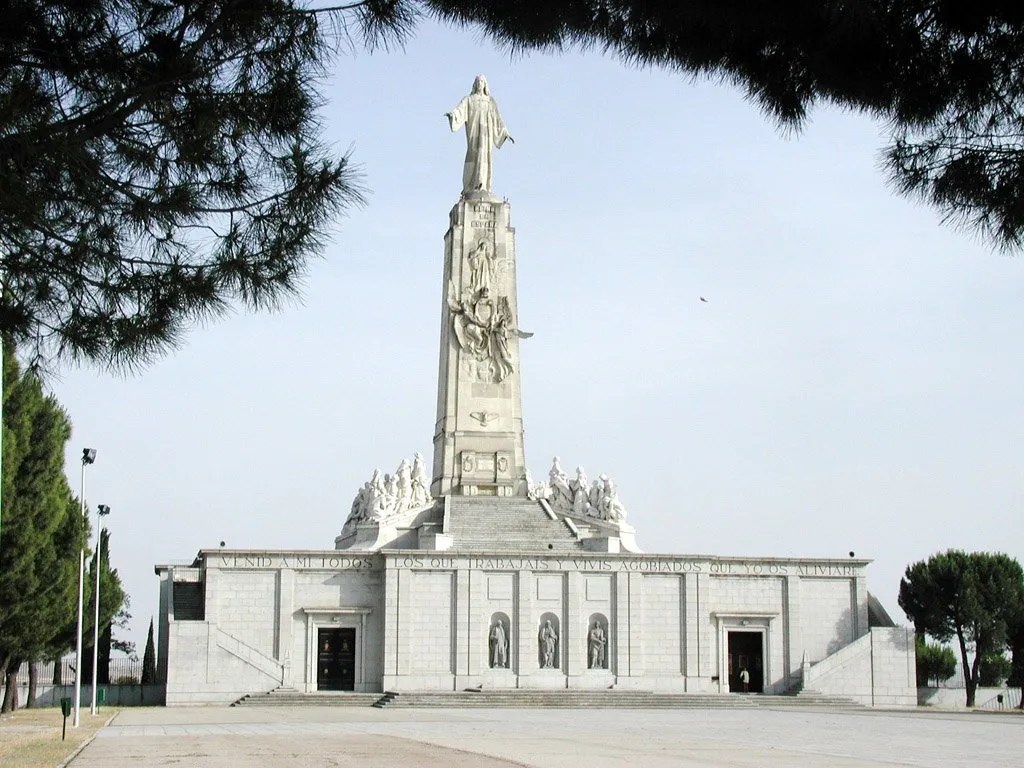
(479, 434)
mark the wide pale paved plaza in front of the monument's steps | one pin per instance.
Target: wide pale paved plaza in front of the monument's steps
(294, 738)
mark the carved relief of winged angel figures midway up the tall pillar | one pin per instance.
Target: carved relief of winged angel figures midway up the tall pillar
(482, 327)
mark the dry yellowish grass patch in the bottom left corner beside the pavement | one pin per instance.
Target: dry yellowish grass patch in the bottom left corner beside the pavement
(31, 739)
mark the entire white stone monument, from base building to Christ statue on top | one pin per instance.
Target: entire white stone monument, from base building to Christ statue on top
(478, 579)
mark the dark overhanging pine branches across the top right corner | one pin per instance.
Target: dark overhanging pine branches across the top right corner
(945, 74)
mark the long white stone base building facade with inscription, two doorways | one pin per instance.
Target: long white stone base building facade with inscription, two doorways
(414, 620)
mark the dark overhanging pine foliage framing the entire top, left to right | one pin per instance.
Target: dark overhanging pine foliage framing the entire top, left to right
(161, 163)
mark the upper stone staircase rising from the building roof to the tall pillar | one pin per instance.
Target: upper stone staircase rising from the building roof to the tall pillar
(494, 525)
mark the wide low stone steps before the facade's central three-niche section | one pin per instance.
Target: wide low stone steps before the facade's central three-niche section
(565, 700)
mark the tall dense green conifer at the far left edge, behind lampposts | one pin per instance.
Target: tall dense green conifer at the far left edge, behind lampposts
(42, 529)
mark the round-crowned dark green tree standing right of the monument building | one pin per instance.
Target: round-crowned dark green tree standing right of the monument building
(974, 598)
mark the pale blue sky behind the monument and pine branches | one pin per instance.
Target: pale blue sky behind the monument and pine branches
(852, 385)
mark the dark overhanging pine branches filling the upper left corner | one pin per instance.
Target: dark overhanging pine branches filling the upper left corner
(159, 163)
